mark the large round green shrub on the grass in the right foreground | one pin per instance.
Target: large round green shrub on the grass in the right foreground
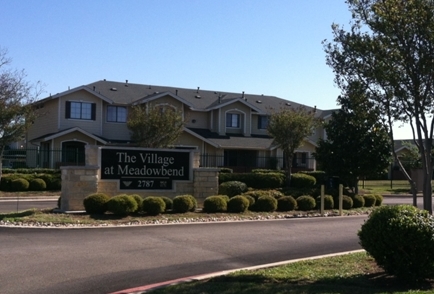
(400, 239)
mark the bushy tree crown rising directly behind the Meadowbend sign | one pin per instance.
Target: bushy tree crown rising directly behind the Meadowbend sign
(155, 126)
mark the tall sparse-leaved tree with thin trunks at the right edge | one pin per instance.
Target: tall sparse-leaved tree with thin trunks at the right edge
(389, 49)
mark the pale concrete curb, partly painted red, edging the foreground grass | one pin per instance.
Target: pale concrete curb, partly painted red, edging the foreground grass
(147, 288)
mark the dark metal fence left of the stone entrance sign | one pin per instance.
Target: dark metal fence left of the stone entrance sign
(37, 158)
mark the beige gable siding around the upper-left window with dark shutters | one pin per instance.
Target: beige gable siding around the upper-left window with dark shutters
(91, 126)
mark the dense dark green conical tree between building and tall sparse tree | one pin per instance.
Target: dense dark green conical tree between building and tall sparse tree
(357, 142)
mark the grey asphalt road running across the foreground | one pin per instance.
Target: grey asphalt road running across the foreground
(104, 260)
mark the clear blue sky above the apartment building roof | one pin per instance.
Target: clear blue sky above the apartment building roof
(270, 47)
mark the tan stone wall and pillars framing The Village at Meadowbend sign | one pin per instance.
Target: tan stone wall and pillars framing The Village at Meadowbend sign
(80, 181)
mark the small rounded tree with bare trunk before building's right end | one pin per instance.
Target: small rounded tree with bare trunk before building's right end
(289, 128)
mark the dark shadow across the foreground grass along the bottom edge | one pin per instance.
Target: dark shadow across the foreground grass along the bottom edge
(250, 283)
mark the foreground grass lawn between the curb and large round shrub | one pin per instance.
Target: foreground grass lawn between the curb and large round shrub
(351, 273)
